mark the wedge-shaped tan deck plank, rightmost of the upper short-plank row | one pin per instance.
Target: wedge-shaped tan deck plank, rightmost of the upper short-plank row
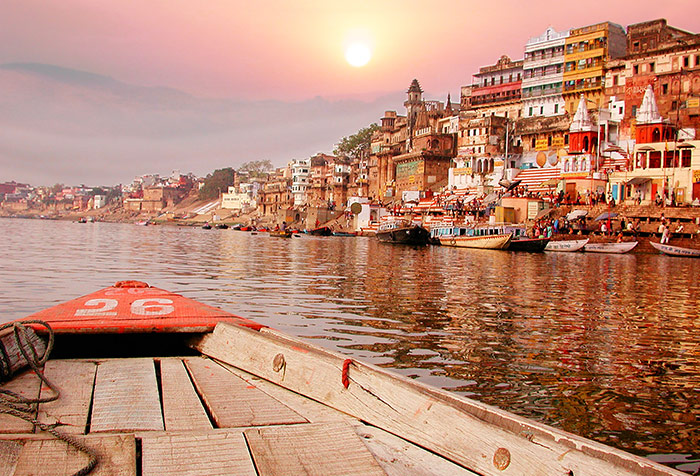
(233, 402)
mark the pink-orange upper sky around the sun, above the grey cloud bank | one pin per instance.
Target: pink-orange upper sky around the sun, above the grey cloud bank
(278, 49)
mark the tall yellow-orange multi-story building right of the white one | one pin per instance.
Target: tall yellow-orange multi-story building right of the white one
(586, 54)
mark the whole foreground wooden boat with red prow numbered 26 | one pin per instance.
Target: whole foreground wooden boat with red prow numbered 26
(153, 383)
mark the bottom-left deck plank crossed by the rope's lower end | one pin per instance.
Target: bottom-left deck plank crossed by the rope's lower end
(49, 457)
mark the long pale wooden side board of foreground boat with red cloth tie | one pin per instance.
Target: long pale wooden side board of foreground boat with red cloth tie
(475, 435)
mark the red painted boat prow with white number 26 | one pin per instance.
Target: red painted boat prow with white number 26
(134, 306)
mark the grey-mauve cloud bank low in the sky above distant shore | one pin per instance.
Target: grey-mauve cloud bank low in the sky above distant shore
(62, 125)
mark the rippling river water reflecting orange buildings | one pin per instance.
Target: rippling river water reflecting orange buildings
(607, 347)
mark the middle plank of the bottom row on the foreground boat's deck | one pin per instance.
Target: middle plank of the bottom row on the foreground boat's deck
(196, 454)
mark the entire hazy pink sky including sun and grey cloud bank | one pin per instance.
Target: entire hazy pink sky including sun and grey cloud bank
(234, 69)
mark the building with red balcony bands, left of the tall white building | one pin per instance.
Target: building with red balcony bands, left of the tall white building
(496, 90)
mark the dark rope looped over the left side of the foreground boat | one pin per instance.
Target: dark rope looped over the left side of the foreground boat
(16, 405)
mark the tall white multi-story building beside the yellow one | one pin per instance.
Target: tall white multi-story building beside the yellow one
(543, 73)
